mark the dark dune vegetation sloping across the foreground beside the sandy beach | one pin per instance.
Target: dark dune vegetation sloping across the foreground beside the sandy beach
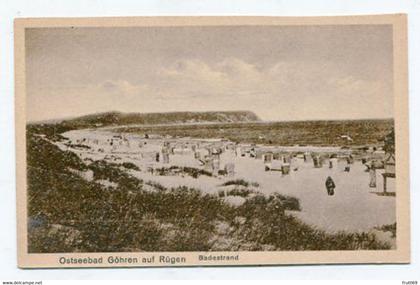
(67, 213)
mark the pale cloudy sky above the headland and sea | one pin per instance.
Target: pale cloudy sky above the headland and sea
(280, 73)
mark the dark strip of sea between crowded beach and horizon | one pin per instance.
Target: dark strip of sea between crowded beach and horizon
(323, 133)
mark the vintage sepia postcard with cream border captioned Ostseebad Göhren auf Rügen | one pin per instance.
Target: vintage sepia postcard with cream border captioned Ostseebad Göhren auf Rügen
(204, 141)
